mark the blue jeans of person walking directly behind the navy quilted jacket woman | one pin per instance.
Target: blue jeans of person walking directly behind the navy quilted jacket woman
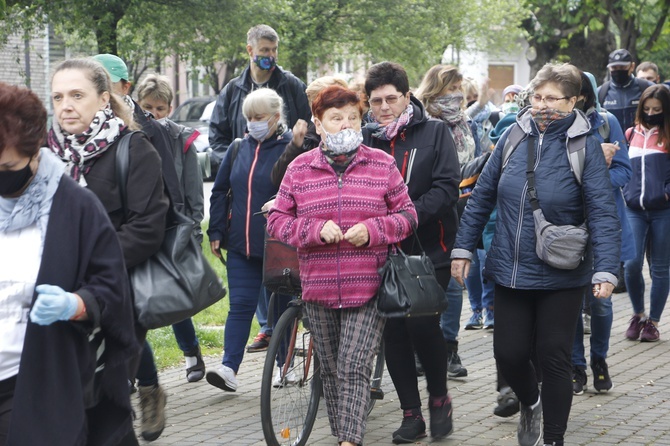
(601, 327)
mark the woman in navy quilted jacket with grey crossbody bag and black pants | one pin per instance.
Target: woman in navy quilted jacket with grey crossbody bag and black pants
(535, 302)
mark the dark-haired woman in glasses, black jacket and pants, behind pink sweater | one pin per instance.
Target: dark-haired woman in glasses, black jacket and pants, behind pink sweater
(425, 154)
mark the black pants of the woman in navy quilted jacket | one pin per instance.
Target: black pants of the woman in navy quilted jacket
(549, 317)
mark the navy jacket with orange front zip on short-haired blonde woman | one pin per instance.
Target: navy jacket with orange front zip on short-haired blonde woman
(252, 188)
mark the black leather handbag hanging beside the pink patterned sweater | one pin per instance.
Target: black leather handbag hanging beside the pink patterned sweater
(409, 287)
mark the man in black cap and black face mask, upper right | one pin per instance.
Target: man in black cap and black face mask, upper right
(621, 95)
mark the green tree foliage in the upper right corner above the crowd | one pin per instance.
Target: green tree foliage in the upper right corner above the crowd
(584, 32)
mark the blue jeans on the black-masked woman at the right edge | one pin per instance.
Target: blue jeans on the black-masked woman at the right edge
(653, 228)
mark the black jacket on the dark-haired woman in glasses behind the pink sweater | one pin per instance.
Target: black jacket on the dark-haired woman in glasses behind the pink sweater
(425, 153)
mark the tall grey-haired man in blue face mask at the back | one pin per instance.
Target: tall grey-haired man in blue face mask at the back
(227, 121)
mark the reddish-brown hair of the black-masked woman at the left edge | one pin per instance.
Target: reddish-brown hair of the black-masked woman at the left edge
(23, 121)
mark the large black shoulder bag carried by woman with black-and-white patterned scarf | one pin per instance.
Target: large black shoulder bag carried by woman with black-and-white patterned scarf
(177, 282)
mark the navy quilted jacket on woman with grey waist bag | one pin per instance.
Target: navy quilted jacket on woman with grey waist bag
(512, 261)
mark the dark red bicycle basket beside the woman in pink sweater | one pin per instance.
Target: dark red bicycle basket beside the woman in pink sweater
(280, 267)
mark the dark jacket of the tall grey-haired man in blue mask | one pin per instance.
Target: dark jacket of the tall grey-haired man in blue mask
(228, 122)
